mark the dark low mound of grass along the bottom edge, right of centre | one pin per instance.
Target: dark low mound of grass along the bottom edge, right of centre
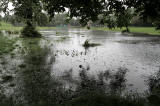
(100, 99)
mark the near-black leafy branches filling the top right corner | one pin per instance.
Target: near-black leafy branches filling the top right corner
(148, 9)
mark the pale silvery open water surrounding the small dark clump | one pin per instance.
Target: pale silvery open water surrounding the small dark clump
(140, 55)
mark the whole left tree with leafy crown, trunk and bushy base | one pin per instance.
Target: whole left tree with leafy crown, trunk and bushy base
(27, 11)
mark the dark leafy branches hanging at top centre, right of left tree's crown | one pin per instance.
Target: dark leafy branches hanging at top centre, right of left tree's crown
(86, 10)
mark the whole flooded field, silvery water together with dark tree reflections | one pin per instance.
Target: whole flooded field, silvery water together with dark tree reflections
(58, 62)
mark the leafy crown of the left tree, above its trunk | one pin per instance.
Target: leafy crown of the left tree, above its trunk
(27, 10)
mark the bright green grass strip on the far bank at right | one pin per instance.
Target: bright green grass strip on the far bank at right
(143, 30)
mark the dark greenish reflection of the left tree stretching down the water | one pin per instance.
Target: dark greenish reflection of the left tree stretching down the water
(36, 86)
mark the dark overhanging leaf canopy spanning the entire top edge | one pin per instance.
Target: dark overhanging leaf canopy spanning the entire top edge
(85, 10)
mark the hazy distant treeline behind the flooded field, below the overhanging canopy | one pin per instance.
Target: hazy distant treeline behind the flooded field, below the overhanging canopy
(62, 20)
